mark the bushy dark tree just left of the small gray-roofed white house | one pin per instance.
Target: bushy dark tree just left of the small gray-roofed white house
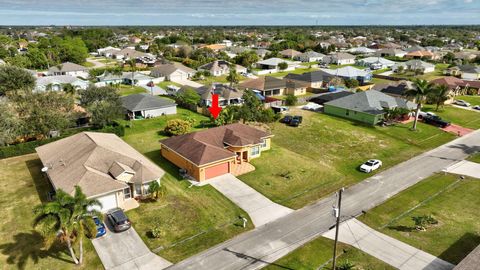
(103, 104)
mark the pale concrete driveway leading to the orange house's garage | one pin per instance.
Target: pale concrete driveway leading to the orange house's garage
(260, 209)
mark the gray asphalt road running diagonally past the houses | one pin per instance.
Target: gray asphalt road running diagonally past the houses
(257, 248)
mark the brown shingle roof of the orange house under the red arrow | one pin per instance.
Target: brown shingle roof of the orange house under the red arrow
(208, 146)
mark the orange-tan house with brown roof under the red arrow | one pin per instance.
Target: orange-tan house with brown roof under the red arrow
(216, 151)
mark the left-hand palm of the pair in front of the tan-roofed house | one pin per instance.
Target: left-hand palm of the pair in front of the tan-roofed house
(56, 221)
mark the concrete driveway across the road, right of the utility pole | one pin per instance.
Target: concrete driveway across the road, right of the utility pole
(386, 248)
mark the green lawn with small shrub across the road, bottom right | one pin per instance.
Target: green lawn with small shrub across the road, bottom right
(457, 231)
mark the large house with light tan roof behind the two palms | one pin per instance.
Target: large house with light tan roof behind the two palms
(103, 165)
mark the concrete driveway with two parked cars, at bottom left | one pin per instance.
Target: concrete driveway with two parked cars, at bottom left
(125, 251)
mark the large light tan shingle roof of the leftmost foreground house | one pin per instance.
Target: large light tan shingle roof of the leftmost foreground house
(85, 159)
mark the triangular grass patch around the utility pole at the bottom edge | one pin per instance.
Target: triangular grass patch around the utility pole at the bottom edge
(318, 253)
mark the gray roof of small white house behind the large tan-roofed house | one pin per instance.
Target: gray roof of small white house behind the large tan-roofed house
(139, 102)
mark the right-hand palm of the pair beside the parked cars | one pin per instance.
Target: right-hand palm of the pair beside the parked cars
(83, 213)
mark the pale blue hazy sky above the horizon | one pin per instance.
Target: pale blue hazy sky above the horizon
(239, 12)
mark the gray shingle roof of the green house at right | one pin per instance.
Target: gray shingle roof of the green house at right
(372, 102)
